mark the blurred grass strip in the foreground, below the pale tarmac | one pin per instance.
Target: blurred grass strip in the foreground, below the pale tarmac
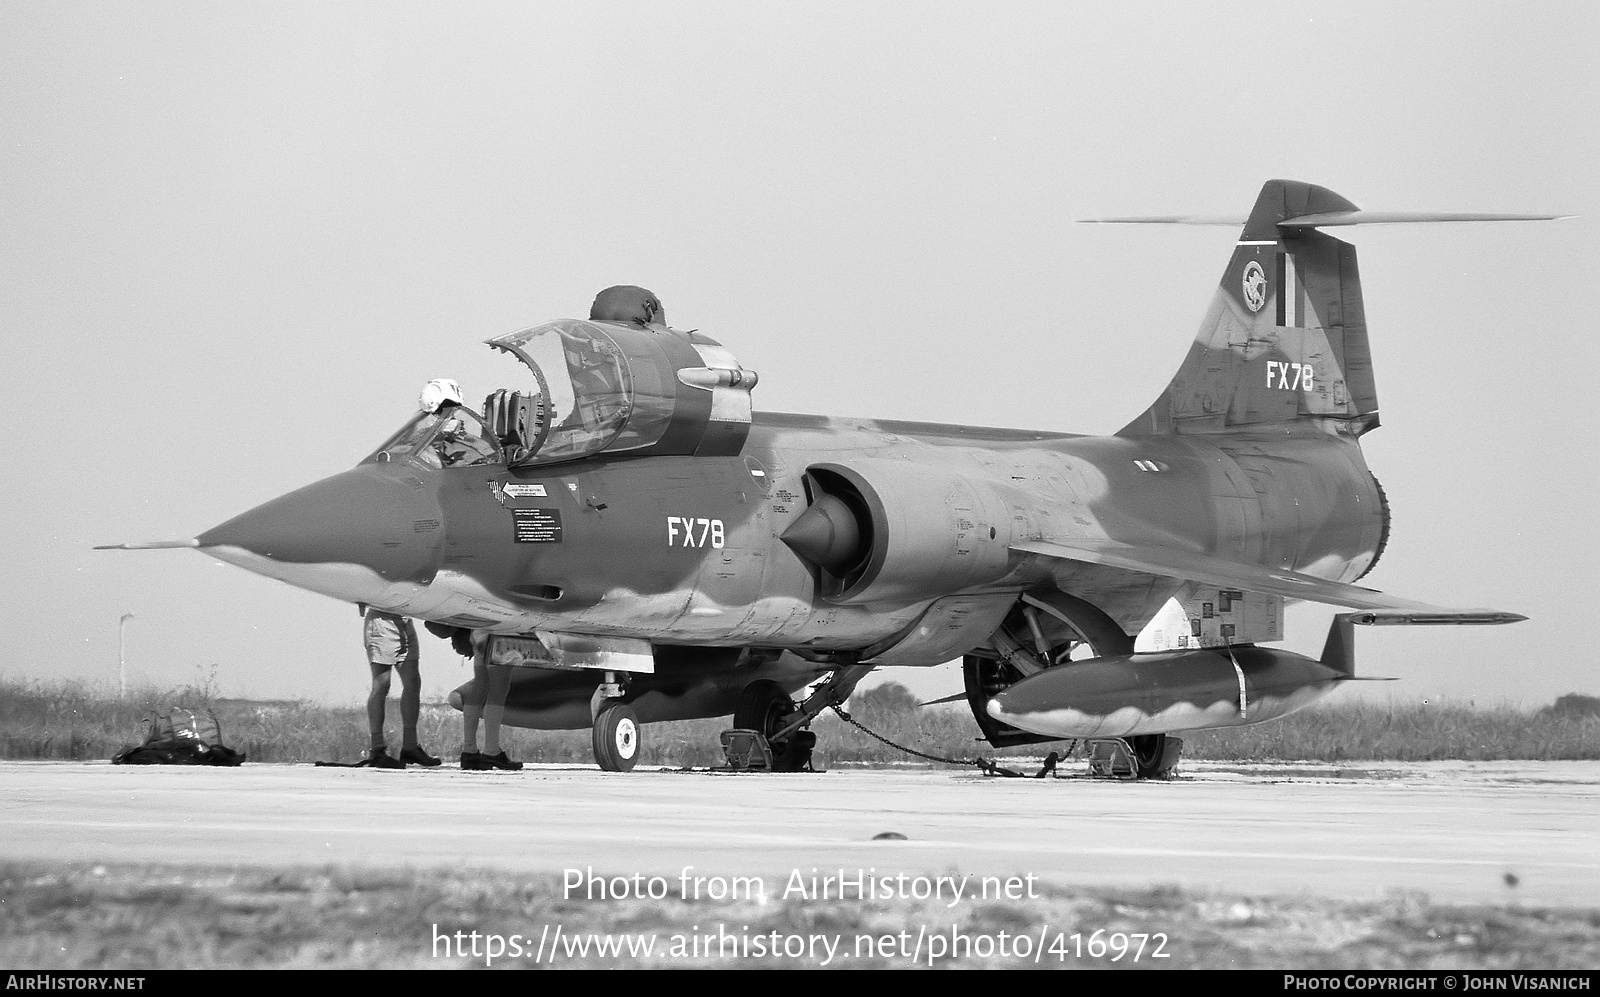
(92, 918)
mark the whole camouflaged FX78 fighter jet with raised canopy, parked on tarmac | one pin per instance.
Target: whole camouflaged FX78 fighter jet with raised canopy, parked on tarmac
(644, 547)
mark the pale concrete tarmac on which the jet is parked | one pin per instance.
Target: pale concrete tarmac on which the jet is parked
(1462, 833)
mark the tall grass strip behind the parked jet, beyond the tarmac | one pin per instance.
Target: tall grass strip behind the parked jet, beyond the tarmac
(82, 723)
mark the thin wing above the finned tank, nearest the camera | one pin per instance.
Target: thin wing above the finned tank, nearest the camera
(1170, 563)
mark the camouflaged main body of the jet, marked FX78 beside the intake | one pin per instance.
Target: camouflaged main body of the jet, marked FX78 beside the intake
(689, 551)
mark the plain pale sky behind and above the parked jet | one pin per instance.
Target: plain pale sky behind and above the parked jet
(236, 239)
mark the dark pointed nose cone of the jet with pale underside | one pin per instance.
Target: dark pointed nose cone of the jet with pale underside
(343, 535)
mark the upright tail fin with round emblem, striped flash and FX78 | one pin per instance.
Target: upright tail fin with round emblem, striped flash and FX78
(1286, 337)
